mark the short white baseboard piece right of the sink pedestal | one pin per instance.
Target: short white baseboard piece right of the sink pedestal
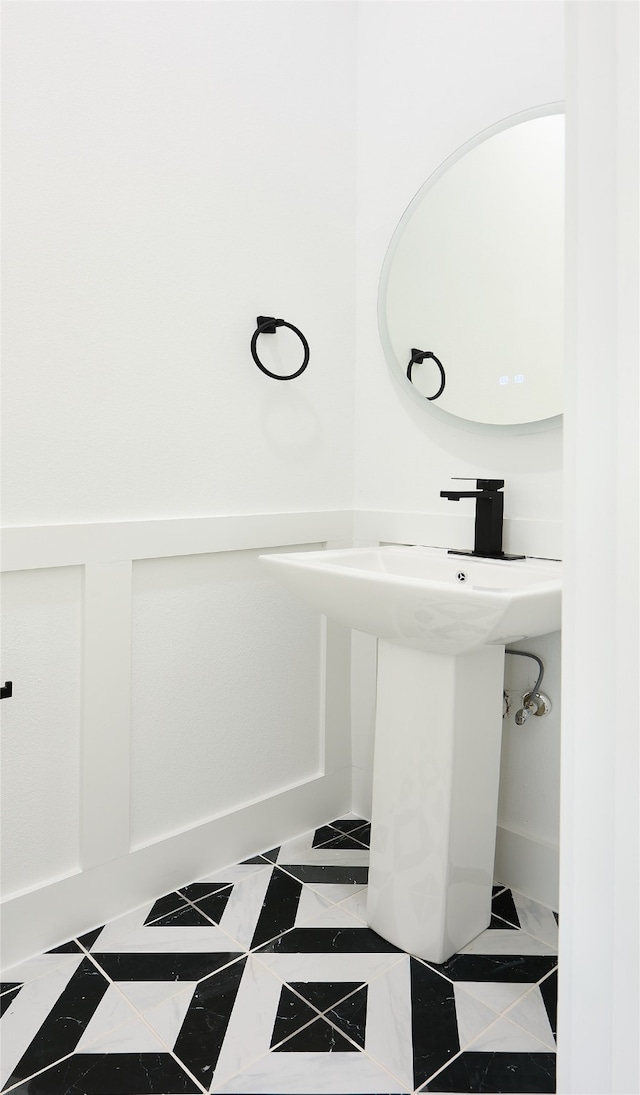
(528, 866)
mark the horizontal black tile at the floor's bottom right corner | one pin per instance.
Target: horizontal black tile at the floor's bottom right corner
(497, 1073)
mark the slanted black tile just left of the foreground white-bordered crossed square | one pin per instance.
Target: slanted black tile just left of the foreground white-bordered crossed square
(205, 1024)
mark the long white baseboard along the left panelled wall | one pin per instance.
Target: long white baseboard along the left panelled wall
(63, 909)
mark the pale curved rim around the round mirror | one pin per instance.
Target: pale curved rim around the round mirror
(398, 368)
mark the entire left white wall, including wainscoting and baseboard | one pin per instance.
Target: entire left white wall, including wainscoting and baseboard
(172, 172)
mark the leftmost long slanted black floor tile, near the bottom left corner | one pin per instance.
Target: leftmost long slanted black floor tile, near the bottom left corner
(64, 1027)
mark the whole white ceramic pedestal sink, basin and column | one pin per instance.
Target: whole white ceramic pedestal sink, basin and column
(443, 623)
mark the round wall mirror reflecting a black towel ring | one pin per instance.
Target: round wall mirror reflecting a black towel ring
(472, 297)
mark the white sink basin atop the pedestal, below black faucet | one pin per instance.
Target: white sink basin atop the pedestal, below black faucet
(418, 598)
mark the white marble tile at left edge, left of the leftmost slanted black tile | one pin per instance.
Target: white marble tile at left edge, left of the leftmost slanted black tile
(31, 1007)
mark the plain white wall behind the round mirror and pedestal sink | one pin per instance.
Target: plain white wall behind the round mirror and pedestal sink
(431, 76)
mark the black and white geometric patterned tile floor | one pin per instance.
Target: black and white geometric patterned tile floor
(265, 978)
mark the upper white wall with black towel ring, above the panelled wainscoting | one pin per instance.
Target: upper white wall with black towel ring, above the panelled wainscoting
(172, 172)
